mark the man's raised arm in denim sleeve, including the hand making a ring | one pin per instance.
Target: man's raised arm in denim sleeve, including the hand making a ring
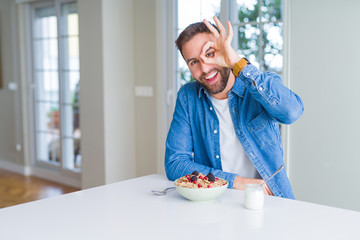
(267, 88)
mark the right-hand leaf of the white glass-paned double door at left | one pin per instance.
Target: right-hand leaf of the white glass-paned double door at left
(70, 80)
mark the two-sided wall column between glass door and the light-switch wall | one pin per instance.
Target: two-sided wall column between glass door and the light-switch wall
(107, 101)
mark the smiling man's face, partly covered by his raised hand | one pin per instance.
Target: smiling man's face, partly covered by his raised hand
(212, 77)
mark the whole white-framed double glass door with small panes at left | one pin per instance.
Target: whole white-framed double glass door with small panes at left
(56, 81)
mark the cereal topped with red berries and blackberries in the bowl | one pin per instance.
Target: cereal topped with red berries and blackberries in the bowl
(198, 180)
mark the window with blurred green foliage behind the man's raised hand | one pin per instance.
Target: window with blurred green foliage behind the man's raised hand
(259, 26)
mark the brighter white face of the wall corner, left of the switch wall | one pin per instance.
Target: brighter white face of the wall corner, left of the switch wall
(118, 56)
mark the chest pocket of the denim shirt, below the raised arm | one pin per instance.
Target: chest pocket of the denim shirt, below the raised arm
(261, 130)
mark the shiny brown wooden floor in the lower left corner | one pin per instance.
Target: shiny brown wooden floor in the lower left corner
(16, 189)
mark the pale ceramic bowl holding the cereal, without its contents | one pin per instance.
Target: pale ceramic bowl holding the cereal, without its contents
(201, 194)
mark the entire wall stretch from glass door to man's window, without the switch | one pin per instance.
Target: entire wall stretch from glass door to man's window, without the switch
(122, 38)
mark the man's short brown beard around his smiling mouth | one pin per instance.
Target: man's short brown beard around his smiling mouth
(219, 86)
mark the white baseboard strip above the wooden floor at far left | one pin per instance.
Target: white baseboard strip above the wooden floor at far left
(40, 173)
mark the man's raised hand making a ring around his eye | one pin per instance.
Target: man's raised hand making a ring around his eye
(220, 51)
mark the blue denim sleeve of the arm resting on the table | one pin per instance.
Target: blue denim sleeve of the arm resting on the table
(179, 158)
